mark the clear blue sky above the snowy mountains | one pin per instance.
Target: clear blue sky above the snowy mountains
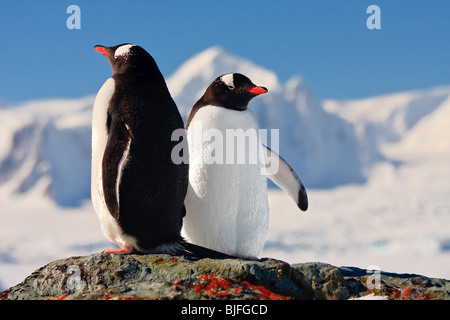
(324, 41)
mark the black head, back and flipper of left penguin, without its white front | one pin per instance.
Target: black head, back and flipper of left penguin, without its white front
(148, 203)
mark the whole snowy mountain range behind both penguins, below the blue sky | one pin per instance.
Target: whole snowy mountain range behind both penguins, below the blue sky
(46, 145)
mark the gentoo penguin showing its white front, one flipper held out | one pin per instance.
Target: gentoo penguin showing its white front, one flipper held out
(227, 203)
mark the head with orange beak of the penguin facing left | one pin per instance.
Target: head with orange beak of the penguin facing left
(127, 57)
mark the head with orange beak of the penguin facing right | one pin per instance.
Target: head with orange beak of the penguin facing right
(233, 91)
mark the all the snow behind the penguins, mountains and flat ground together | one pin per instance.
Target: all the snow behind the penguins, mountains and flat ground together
(376, 171)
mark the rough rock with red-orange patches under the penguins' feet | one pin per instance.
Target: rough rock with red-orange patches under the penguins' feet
(163, 277)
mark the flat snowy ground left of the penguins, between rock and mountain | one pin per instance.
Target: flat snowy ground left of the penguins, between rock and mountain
(36, 231)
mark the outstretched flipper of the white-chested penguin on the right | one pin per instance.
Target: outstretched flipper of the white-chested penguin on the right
(286, 178)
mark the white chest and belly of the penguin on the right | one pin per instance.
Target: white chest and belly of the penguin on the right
(226, 203)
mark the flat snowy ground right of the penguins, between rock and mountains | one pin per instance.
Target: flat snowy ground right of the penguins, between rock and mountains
(398, 221)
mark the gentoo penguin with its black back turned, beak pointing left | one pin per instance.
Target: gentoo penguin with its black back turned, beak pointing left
(137, 191)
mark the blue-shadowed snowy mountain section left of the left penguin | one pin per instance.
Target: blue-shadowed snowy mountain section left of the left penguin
(46, 146)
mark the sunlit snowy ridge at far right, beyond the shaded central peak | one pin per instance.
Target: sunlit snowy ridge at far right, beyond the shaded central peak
(407, 122)
